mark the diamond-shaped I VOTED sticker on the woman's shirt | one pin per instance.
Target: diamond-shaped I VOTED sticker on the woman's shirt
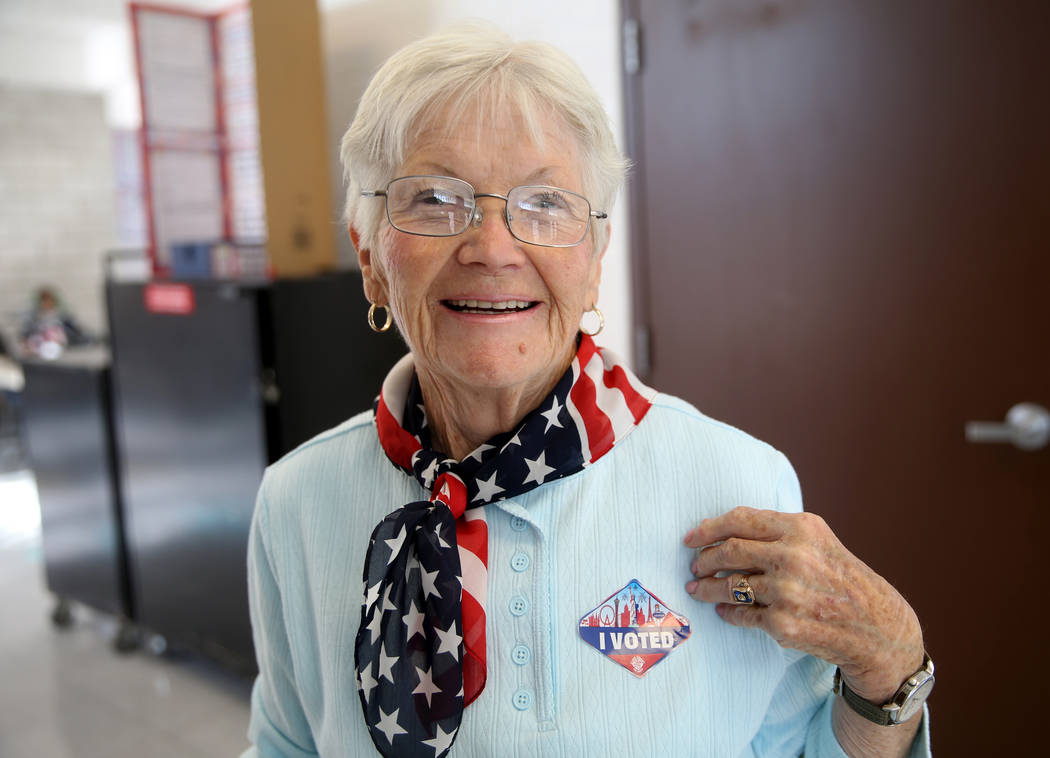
(635, 628)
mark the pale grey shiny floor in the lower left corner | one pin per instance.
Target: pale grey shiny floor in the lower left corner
(68, 694)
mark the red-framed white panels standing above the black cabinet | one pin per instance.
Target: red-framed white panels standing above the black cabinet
(203, 181)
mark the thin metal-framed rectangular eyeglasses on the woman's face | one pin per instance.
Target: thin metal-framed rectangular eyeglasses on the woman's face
(445, 207)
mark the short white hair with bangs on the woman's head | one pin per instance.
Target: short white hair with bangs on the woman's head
(475, 69)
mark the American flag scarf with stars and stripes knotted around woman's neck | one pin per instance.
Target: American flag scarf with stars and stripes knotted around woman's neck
(421, 649)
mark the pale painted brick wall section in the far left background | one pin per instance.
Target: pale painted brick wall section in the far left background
(56, 201)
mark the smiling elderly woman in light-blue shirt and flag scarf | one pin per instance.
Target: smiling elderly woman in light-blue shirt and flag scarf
(535, 583)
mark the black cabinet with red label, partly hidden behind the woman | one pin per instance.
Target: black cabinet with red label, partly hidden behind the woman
(213, 382)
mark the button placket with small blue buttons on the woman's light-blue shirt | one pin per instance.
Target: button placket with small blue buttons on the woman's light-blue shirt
(522, 559)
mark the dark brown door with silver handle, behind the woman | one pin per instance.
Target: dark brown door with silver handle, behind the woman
(843, 247)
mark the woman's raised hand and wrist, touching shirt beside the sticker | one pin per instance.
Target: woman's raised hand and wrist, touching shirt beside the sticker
(811, 595)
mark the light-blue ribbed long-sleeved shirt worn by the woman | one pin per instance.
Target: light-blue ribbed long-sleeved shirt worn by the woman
(554, 555)
